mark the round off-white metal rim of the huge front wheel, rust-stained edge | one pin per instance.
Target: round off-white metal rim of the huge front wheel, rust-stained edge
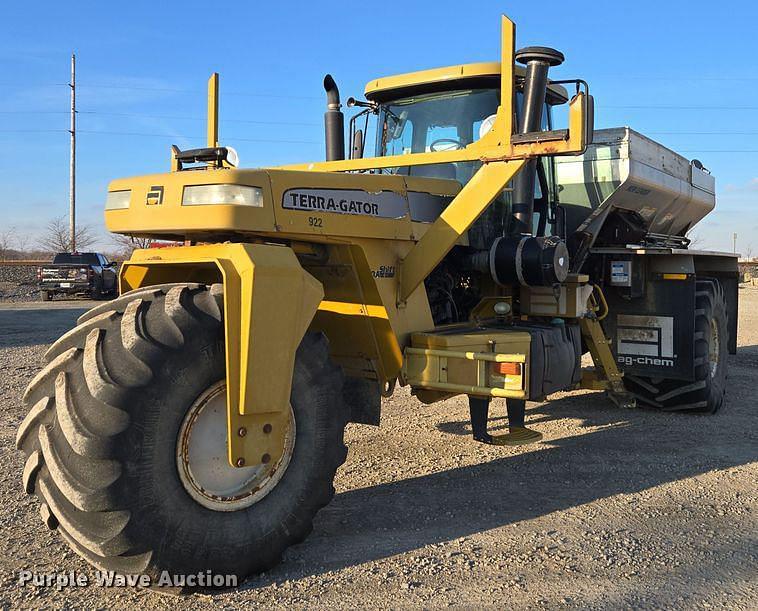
(201, 458)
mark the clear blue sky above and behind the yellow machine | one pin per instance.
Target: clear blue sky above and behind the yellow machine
(683, 72)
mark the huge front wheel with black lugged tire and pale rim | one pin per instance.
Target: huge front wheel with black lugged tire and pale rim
(110, 452)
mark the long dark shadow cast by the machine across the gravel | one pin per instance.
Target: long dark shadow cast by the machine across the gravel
(380, 521)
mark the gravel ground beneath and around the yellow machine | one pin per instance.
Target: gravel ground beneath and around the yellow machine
(615, 509)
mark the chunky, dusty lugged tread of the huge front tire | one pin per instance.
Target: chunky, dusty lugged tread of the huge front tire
(81, 403)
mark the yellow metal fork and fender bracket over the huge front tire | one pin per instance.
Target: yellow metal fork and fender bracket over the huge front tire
(269, 302)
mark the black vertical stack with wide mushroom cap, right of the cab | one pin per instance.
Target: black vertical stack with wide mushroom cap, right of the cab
(538, 61)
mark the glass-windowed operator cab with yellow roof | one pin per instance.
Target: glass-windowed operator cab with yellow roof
(448, 109)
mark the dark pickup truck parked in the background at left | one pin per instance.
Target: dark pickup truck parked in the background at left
(79, 273)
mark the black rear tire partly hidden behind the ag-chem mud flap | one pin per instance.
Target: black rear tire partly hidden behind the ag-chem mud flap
(706, 393)
